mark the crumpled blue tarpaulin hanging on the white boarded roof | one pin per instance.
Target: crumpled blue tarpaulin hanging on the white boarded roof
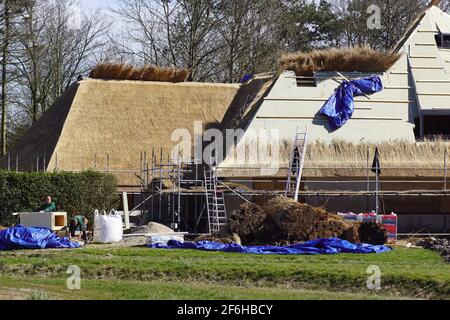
(340, 107)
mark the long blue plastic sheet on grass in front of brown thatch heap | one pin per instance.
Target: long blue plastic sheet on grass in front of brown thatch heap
(320, 246)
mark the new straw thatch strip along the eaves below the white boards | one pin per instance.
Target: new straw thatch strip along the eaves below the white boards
(345, 159)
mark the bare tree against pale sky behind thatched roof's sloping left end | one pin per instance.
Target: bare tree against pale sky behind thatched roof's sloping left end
(52, 51)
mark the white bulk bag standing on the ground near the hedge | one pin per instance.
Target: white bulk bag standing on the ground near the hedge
(107, 227)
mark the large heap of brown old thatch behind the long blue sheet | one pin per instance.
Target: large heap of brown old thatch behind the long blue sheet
(284, 221)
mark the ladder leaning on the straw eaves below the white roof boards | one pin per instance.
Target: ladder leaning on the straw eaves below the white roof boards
(296, 163)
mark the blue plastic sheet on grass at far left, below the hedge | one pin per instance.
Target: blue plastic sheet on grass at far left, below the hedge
(21, 237)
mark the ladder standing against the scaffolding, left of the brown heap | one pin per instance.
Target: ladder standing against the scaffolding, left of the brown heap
(215, 202)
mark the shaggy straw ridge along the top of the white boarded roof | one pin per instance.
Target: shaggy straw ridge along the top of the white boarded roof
(357, 59)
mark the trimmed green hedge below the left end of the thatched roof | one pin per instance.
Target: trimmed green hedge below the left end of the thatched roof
(74, 193)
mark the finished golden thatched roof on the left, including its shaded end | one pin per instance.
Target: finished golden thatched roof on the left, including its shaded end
(119, 119)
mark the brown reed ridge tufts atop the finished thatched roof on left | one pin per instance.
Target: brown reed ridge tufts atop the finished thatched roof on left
(117, 71)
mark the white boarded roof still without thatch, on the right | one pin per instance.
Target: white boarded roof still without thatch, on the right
(419, 83)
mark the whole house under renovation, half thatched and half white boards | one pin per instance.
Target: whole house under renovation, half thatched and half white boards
(127, 128)
